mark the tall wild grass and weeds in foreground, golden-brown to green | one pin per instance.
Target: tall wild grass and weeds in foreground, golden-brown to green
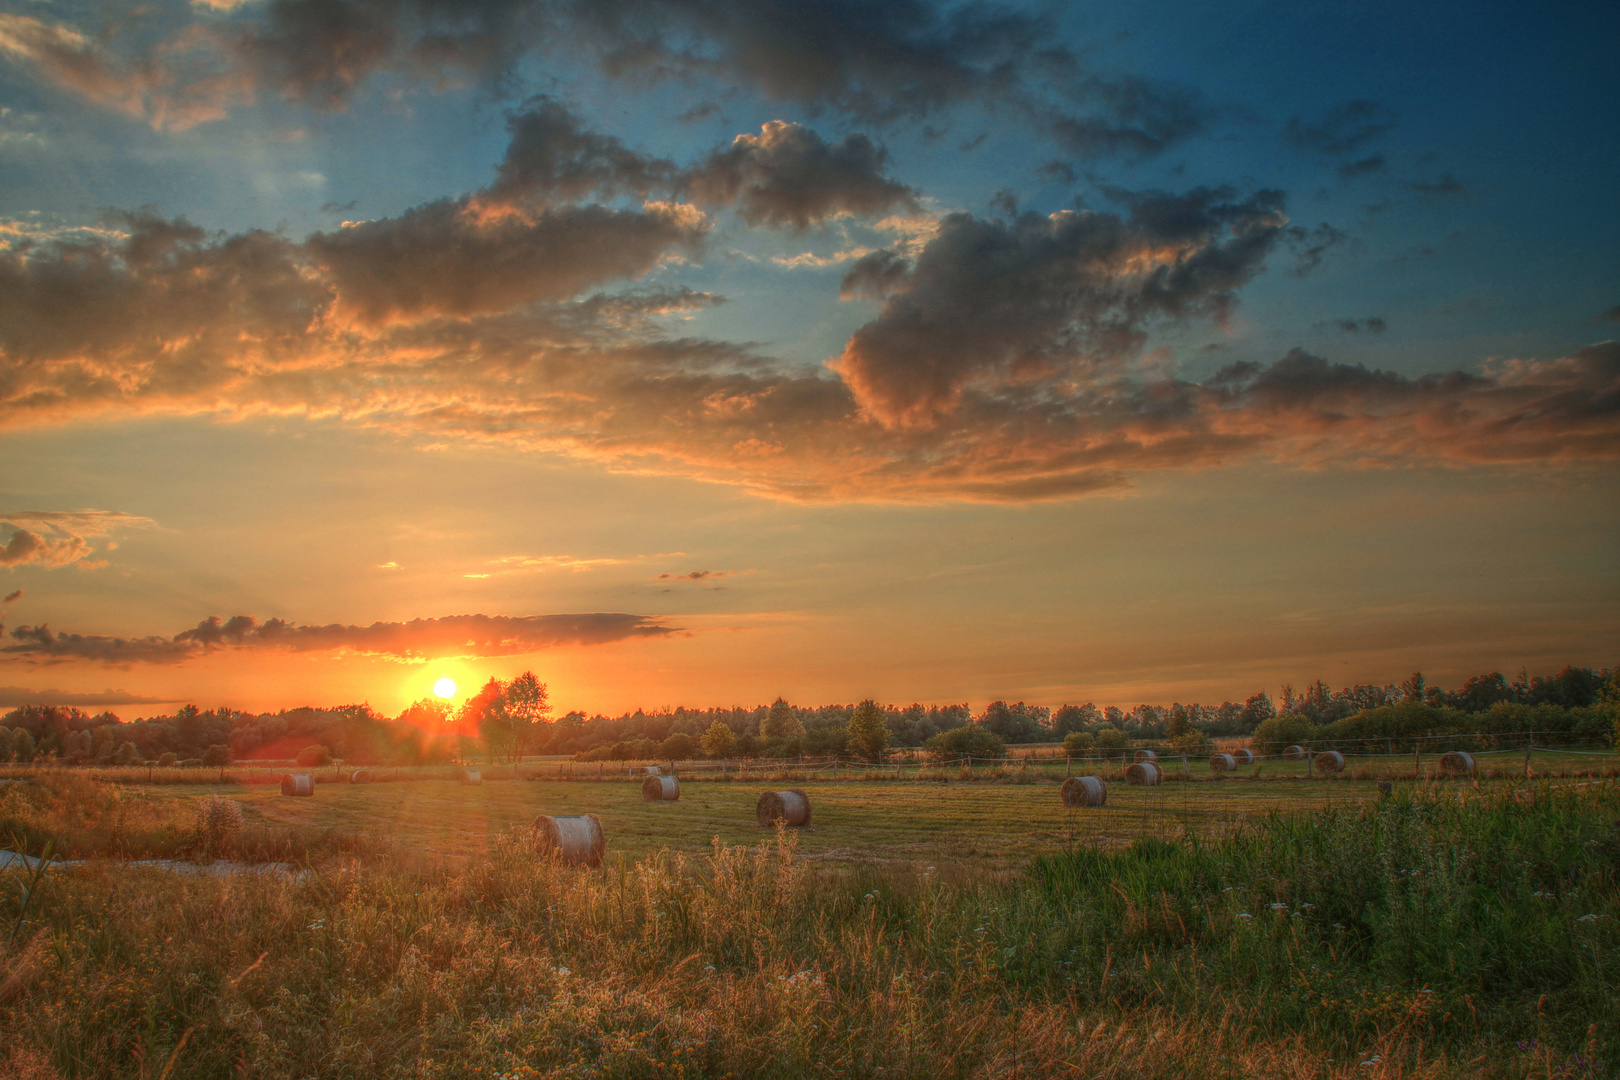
(1443, 932)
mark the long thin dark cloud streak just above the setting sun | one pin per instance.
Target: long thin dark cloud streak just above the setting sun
(419, 639)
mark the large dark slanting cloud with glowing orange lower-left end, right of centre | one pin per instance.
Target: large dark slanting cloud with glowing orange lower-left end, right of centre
(1049, 297)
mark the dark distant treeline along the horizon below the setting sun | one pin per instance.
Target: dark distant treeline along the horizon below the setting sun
(513, 720)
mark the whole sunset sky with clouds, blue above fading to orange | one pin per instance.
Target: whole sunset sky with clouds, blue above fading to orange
(699, 352)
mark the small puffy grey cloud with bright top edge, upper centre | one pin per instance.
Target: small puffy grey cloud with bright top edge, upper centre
(788, 176)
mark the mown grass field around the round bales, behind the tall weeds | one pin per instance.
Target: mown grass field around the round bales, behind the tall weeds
(989, 822)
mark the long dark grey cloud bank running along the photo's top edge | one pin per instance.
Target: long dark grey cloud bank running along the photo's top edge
(877, 62)
